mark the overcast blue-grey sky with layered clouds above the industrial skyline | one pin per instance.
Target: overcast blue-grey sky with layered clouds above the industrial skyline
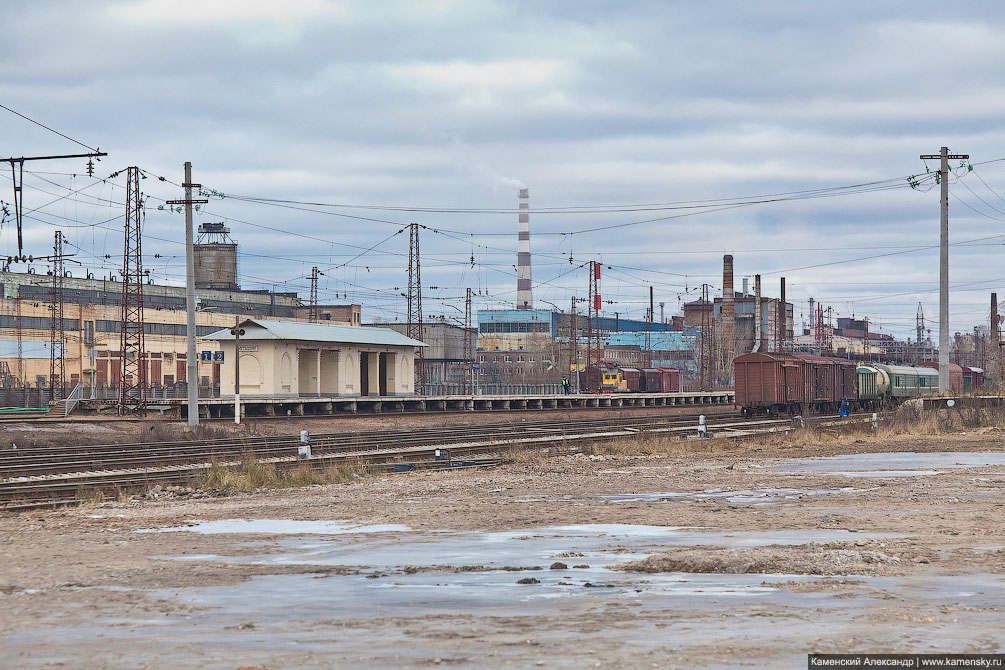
(453, 106)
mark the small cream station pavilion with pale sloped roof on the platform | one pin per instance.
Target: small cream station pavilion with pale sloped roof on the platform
(290, 359)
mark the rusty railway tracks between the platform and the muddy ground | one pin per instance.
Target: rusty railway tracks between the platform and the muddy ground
(41, 478)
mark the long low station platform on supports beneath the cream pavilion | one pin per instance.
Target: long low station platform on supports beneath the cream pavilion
(335, 406)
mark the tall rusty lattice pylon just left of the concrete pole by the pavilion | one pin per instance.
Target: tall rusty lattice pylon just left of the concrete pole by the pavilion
(132, 352)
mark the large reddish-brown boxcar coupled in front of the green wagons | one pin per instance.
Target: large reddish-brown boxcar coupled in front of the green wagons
(793, 383)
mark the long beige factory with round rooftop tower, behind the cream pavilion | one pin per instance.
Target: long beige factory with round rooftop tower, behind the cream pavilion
(92, 321)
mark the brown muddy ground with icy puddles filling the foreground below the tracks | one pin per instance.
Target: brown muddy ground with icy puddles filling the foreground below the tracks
(709, 555)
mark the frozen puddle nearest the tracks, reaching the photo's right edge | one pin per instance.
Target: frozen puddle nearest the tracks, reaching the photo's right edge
(893, 465)
